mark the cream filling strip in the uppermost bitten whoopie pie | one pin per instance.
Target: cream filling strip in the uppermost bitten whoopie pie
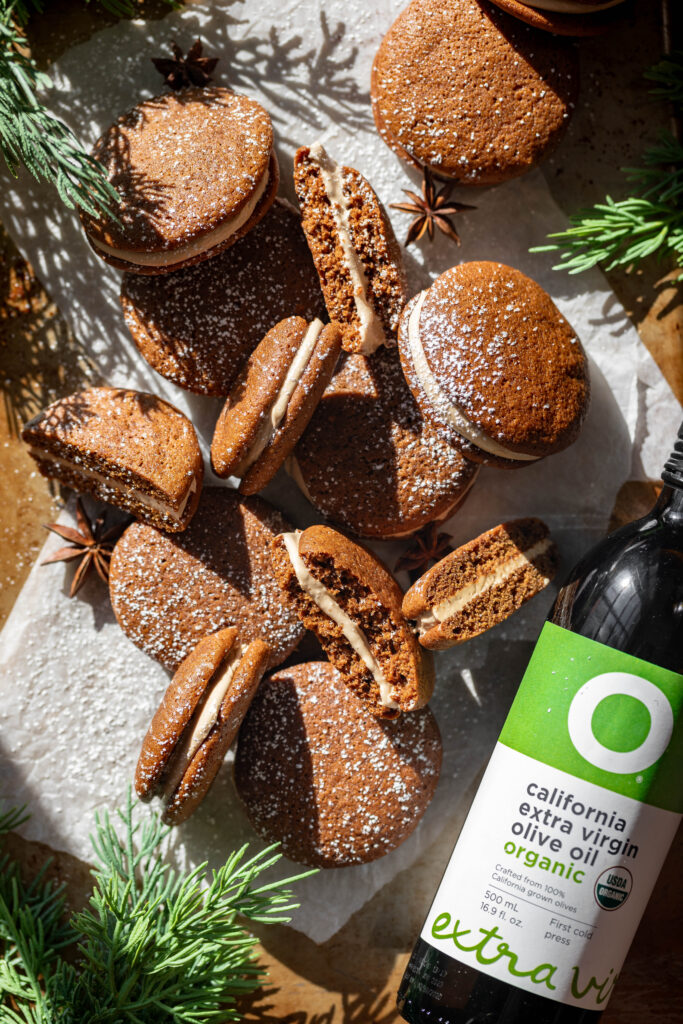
(372, 332)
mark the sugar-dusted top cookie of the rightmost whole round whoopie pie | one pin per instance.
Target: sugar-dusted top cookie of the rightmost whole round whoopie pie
(503, 354)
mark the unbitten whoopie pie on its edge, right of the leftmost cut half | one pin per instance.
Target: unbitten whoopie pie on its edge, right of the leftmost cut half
(273, 401)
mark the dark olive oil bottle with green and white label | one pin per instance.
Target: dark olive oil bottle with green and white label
(580, 802)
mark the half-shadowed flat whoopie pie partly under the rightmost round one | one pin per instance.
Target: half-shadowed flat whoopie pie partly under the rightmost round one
(370, 461)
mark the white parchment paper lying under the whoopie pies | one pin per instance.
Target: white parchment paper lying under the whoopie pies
(76, 696)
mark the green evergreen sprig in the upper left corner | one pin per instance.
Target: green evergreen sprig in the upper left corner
(30, 136)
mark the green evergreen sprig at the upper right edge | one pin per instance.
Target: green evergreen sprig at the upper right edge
(624, 232)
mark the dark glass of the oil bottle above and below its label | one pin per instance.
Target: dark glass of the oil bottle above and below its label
(627, 593)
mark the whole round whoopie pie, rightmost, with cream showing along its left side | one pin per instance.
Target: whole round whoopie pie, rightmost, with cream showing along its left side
(491, 360)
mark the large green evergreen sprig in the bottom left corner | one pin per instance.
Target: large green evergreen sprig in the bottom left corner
(154, 946)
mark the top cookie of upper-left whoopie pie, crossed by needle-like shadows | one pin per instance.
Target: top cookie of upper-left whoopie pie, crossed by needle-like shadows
(183, 164)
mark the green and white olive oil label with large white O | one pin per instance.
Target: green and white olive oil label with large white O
(571, 826)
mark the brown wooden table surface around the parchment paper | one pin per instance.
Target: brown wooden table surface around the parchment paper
(354, 977)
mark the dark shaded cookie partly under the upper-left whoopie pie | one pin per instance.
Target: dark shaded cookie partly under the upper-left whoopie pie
(198, 327)
